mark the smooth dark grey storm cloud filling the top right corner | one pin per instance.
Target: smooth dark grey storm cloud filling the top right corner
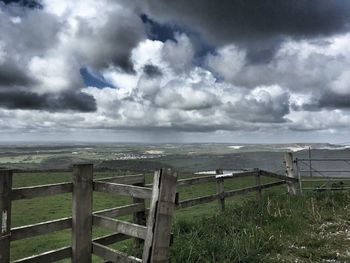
(256, 25)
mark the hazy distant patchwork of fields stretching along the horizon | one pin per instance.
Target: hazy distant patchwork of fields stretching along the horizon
(182, 157)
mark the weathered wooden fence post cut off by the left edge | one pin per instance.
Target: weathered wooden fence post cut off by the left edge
(5, 210)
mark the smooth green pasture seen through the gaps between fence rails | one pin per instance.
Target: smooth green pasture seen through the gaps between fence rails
(48, 208)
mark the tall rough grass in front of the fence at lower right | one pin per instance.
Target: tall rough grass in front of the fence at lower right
(276, 229)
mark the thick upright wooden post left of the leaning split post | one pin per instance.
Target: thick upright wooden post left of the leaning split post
(82, 213)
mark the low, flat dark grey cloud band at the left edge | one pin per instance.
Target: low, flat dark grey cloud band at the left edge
(68, 101)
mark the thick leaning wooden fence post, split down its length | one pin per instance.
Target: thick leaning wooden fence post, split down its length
(157, 243)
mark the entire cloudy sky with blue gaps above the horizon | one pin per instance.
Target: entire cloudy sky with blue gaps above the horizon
(177, 71)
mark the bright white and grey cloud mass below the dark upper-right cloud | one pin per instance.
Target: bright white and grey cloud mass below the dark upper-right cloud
(159, 86)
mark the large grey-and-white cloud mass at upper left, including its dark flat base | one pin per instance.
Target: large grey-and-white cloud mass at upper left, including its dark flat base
(36, 52)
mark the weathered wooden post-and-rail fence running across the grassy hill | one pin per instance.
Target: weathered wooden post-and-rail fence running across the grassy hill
(153, 234)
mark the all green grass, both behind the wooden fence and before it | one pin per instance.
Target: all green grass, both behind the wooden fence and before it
(248, 232)
